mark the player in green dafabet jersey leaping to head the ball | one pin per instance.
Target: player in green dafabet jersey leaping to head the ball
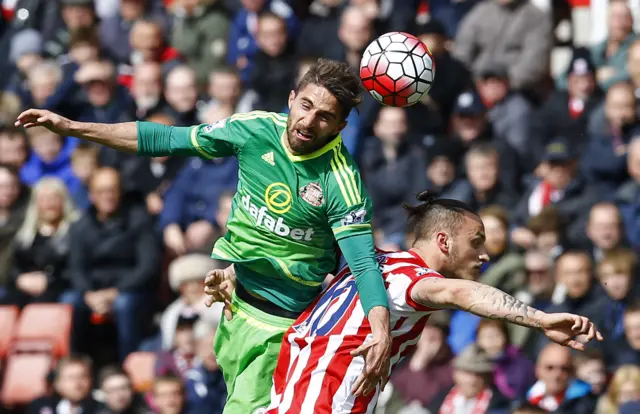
(299, 198)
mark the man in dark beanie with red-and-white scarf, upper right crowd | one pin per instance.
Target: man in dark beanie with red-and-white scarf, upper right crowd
(567, 111)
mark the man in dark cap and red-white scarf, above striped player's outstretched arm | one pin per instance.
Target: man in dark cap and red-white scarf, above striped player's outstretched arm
(561, 186)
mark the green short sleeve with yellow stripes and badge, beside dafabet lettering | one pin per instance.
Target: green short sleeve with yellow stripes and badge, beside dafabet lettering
(348, 203)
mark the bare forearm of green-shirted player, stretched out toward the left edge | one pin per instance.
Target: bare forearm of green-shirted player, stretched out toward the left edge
(122, 136)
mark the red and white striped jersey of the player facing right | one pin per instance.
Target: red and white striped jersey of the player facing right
(315, 370)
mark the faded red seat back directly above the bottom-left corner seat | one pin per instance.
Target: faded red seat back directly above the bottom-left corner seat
(44, 326)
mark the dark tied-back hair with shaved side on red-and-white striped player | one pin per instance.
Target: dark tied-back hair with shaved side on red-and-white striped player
(435, 214)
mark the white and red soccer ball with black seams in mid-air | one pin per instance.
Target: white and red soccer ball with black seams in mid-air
(397, 69)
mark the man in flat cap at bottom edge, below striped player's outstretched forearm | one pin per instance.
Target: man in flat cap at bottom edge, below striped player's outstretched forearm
(473, 391)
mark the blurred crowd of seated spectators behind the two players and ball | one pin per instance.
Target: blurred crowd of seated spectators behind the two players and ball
(533, 120)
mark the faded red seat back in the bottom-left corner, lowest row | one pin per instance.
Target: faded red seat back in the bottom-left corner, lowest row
(25, 378)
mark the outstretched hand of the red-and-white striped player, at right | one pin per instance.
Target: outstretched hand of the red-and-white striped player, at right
(569, 330)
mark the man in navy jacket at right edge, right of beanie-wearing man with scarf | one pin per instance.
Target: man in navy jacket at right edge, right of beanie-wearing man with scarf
(604, 158)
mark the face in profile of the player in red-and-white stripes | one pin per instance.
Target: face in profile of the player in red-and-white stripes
(467, 251)
